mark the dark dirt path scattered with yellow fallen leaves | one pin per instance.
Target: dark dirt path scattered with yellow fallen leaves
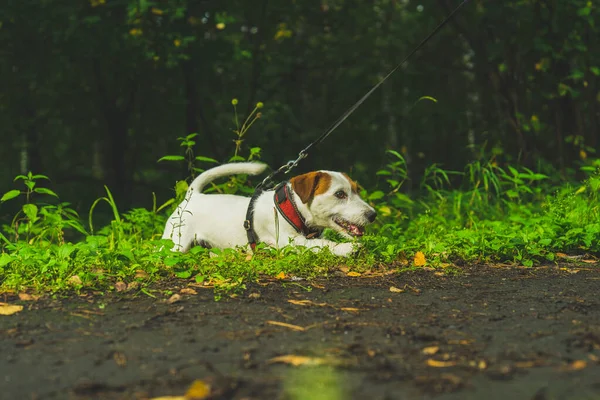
(488, 333)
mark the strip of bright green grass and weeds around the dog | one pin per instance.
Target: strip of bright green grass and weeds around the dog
(484, 214)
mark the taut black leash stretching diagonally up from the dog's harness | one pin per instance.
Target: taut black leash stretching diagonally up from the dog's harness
(286, 168)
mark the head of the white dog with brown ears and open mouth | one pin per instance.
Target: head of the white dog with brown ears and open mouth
(331, 200)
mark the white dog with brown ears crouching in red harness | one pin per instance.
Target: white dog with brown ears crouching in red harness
(296, 212)
